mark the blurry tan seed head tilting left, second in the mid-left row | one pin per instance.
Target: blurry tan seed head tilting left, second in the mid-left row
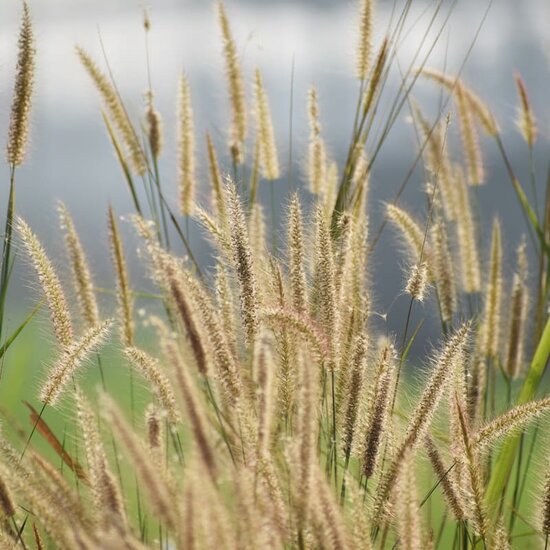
(82, 278)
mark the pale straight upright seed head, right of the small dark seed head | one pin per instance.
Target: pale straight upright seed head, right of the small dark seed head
(186, 147)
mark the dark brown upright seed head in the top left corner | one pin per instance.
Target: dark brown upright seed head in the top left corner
(22, 96)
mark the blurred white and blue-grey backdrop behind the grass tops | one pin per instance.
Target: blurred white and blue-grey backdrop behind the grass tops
(71, 157)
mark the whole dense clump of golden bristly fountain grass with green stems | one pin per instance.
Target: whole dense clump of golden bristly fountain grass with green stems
(268, 412)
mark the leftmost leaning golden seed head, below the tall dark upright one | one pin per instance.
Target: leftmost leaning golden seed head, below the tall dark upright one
(57, 303)
